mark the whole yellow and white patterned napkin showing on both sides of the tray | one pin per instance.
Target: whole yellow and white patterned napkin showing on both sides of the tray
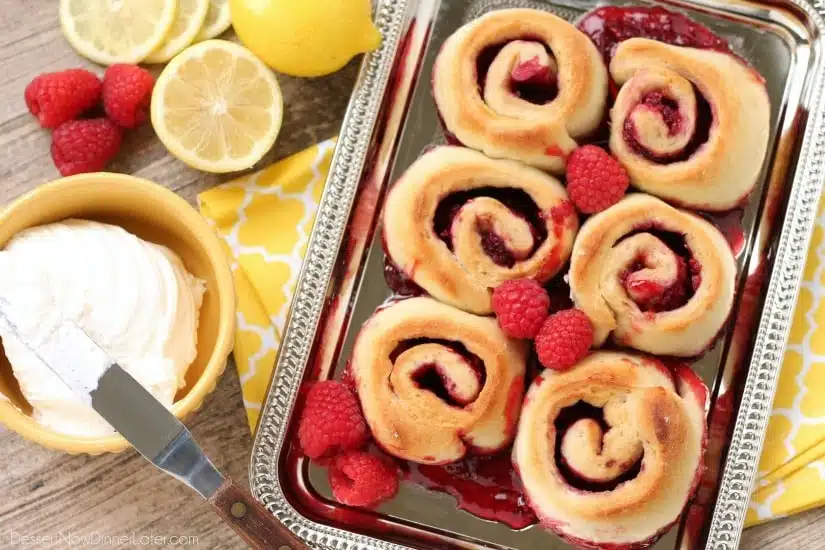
(265, 220)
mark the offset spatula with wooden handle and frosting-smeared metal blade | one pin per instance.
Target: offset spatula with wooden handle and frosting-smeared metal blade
(155, 432)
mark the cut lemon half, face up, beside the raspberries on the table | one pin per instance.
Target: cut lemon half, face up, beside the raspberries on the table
(217, 107)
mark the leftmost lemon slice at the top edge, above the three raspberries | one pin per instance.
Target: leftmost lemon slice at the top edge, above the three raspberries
(116, 31)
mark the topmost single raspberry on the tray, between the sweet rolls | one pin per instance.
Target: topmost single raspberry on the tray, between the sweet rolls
(595, 180)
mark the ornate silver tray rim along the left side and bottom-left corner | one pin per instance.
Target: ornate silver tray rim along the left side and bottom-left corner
(304, 315)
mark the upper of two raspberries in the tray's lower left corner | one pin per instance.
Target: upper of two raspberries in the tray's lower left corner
(331, 421)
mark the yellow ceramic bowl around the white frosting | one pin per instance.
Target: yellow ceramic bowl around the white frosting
(154, 214)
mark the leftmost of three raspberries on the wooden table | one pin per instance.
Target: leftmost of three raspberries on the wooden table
(55, 98)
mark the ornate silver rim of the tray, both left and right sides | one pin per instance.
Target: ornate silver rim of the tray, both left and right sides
(334, 211)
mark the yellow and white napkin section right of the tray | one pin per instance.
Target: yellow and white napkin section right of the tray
(791, 474)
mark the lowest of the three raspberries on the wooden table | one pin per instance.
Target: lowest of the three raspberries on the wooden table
(80, 146)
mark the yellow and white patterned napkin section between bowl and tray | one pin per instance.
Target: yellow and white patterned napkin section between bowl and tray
(265, 220)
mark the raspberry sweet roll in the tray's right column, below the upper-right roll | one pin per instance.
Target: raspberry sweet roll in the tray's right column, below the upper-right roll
(657, 278)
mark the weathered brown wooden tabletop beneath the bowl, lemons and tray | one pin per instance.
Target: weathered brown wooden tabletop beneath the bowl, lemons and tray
(45, 493)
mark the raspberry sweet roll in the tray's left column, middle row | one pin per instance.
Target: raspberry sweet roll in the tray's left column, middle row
(459, 223)
